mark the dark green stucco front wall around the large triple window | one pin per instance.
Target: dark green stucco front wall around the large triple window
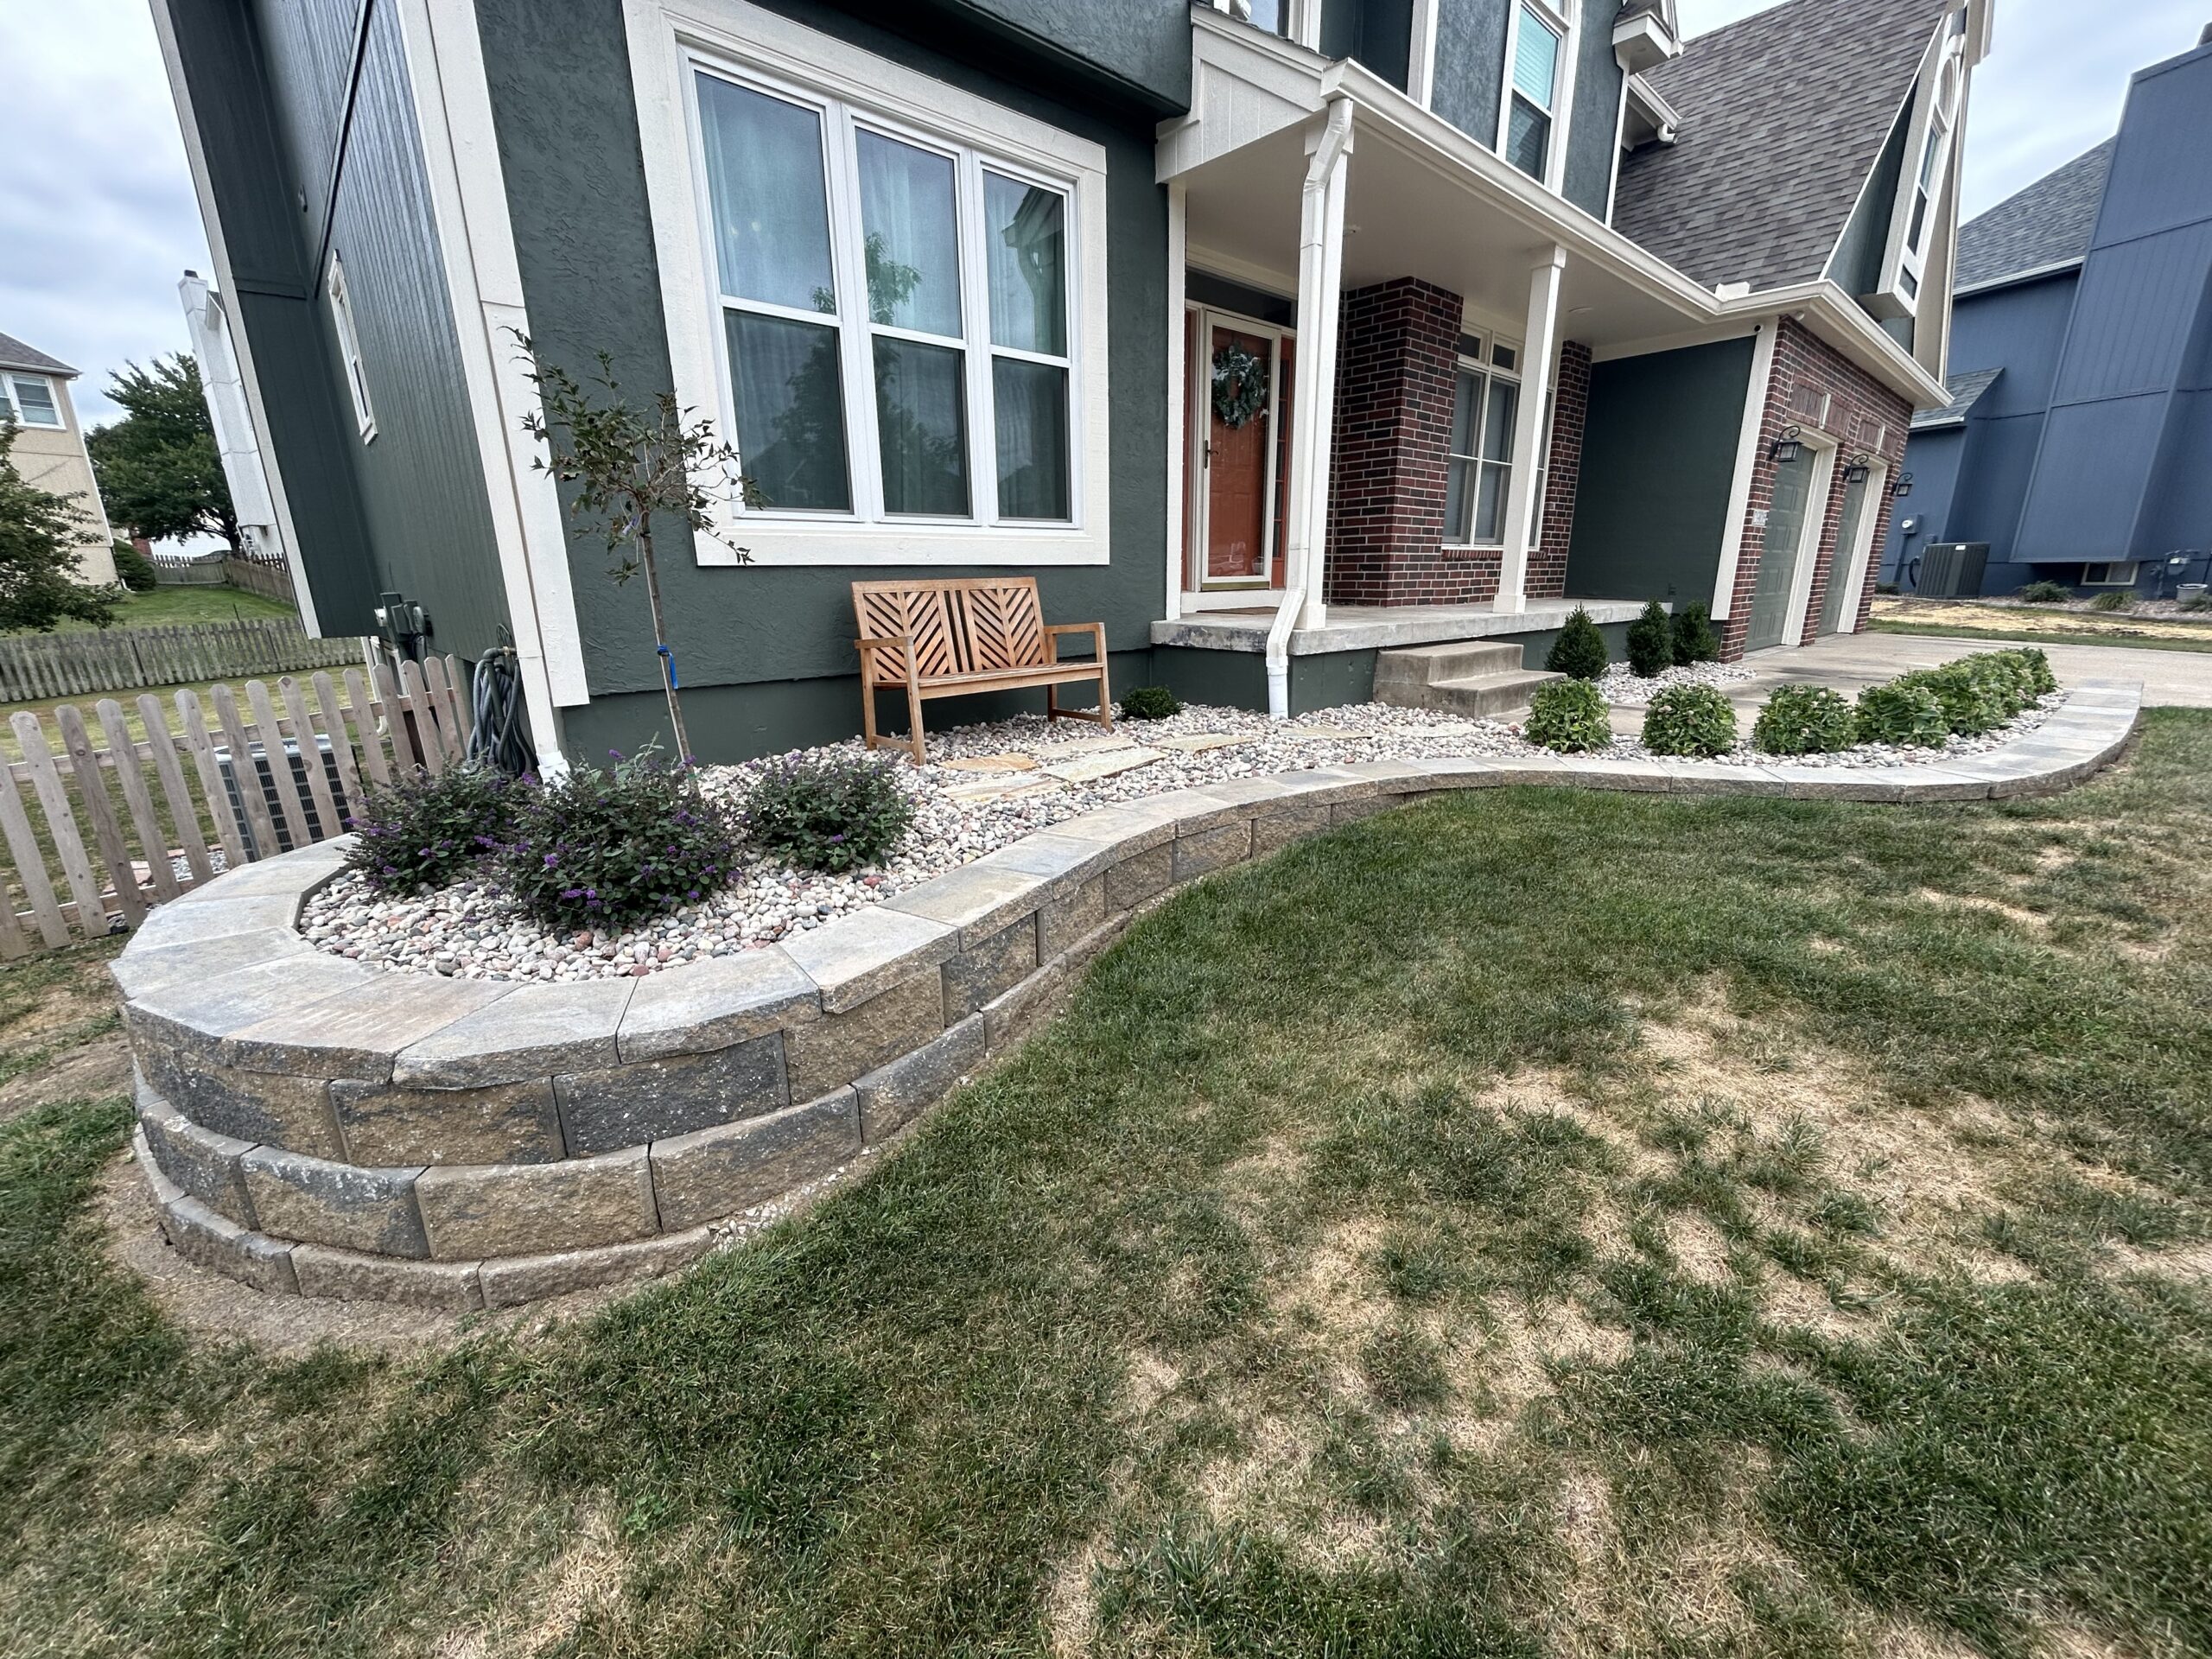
(766, 654)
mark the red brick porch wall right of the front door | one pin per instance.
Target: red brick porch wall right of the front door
(1399, 348)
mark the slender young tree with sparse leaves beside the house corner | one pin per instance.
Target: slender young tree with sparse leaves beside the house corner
(625, 463)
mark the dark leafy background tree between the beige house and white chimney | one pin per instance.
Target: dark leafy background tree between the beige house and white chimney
(158, 466)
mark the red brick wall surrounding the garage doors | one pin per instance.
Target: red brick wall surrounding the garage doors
(1861, 417)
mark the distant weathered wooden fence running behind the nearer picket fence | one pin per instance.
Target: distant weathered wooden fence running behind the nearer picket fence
(36, 667)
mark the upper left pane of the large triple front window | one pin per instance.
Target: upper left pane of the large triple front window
(764, 174)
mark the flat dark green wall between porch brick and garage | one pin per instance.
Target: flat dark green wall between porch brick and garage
(1658, 461)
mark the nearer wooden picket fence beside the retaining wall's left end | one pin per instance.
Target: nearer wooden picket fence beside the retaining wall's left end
(85, 866)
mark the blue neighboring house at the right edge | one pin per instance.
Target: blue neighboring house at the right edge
(2078, 437)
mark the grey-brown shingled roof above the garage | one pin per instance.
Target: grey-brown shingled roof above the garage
(1784, 118)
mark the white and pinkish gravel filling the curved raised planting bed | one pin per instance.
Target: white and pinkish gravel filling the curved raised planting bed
(985, 786)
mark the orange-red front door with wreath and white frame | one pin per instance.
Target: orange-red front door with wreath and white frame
(1240, 450)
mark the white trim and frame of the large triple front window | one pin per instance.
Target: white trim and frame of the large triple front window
(669, 39)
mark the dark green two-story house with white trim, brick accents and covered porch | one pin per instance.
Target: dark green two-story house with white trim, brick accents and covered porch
(1273, 335)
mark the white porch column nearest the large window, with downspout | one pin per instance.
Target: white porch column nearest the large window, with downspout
(1313, 417)
